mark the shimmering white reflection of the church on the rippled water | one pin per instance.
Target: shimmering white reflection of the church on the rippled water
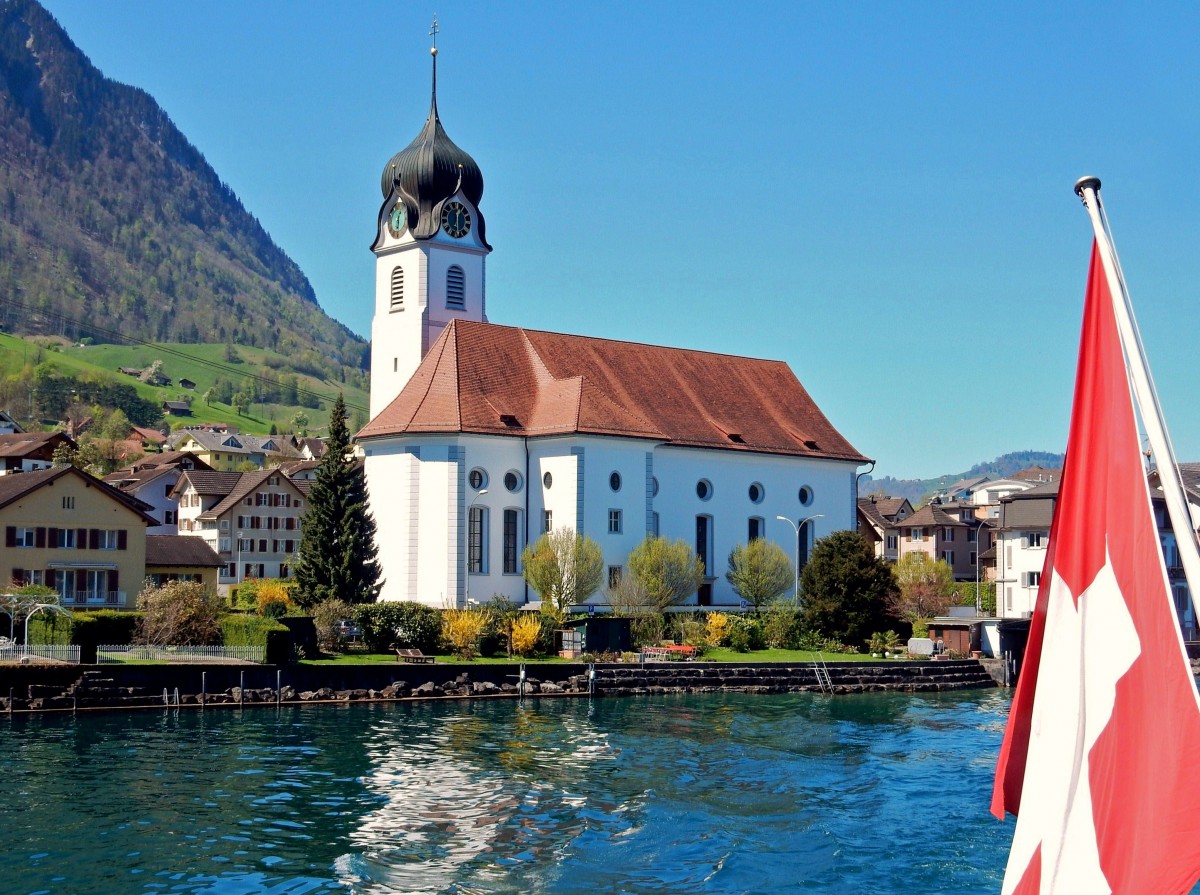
(476, 796)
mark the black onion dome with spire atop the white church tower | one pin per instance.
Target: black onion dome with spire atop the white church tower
(430, 171)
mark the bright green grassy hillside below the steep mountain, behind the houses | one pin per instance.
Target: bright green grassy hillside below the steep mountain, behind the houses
(278, 394)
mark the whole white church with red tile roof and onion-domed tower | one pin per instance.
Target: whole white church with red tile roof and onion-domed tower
(483, 436)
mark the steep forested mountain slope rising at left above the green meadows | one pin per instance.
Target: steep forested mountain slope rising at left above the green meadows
(111, 221)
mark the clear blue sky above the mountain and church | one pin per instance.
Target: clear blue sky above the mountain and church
(878, 194)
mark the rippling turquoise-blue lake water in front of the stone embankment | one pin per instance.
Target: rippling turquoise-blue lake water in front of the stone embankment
(875, 794)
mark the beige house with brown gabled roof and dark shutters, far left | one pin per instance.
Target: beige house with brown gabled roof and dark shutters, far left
(74, 533)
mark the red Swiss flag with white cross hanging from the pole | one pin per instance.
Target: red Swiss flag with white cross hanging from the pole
(1101, 760)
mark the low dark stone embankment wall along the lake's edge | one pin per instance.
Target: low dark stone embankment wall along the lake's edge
(71, 688)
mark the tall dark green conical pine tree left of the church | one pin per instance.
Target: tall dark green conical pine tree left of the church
(338, 557)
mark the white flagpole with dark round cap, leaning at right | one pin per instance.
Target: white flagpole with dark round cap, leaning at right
(1088, 189)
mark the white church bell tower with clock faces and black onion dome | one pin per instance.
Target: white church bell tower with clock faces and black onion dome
(430, 250)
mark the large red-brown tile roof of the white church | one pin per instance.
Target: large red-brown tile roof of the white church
(490, 380)
